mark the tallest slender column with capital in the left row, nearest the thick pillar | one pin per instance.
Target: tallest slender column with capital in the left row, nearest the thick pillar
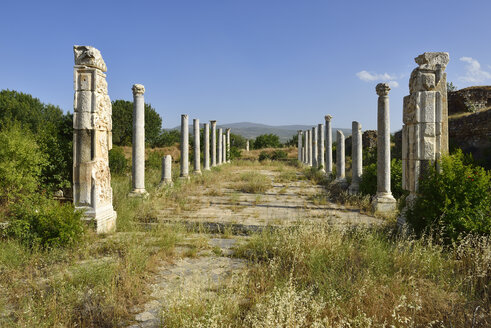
(138, 158)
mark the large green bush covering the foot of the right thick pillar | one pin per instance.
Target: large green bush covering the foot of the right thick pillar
(455, 201)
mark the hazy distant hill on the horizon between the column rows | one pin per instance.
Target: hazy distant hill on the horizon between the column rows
(251, 130)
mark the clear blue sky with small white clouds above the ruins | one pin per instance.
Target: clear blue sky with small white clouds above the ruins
(267, 61)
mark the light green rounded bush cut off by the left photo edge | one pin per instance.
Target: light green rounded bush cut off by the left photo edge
(21, 164)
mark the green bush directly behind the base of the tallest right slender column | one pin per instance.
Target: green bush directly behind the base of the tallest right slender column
(368, 183)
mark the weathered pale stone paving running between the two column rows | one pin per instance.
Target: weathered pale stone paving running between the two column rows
(212, 266)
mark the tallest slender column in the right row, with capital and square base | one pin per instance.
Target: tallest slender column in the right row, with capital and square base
(384, 201)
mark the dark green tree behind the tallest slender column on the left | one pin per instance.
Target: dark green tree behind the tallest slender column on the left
(123, 123)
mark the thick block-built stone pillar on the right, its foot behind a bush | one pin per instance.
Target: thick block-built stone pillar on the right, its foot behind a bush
(425, 117)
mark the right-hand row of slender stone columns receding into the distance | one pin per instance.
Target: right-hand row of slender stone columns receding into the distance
(315, 150)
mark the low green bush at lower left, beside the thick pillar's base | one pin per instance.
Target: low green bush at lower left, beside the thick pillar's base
(45, 223)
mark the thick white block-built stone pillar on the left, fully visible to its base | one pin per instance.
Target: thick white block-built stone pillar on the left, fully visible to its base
(92, 139)
